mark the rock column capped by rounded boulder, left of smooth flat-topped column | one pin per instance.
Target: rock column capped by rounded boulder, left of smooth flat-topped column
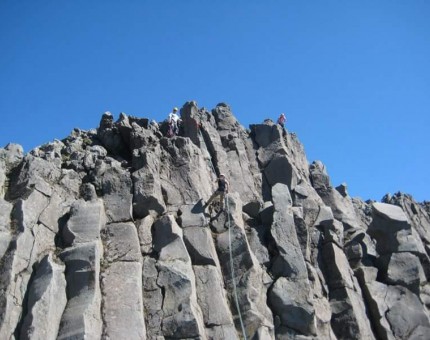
(82, 318)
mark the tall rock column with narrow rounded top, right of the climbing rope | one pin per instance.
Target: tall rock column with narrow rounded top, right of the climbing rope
(290, 296)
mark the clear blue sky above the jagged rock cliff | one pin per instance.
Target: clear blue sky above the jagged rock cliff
(353, 77)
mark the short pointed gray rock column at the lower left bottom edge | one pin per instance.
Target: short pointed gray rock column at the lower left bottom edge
(46, 301)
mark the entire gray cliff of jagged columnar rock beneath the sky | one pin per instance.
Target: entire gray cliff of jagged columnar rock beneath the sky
(106, 235)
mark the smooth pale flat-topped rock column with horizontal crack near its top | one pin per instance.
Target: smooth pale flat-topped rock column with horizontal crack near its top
(122, 283)
